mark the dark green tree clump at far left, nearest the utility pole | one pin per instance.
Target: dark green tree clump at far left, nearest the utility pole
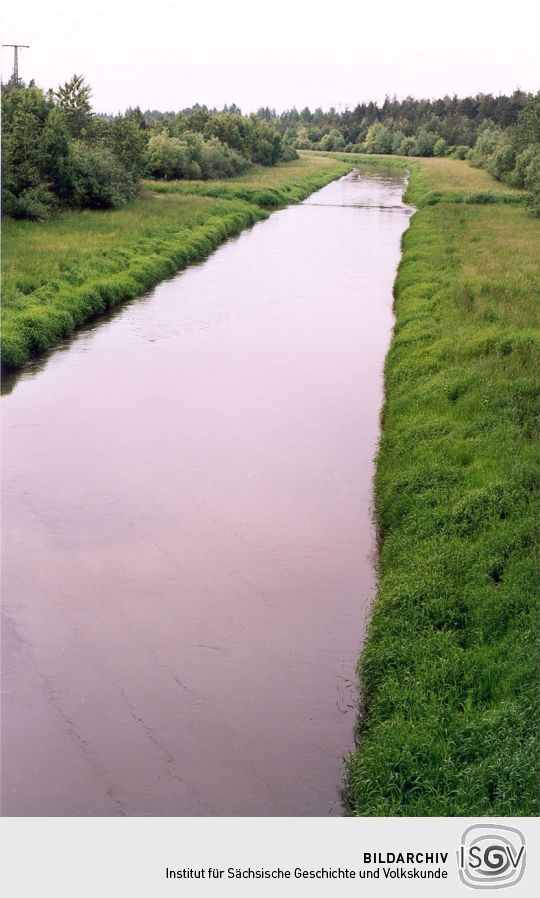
(45, 168)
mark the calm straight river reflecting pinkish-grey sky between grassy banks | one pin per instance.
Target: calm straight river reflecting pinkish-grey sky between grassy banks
(187, 536)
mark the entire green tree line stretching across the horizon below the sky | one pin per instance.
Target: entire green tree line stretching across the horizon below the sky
(57, 153)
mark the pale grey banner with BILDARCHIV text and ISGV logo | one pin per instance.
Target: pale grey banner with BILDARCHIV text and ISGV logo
(222, 857)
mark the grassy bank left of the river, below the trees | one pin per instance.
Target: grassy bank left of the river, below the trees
(61, 273)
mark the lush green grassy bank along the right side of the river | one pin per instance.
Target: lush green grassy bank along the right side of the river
(448, 724)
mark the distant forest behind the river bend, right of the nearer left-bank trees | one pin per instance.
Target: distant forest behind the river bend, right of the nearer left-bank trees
(501, 133)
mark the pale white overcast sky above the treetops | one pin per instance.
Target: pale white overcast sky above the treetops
(281, 53)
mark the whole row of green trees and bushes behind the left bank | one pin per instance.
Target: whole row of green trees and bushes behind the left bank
(57, 154)
